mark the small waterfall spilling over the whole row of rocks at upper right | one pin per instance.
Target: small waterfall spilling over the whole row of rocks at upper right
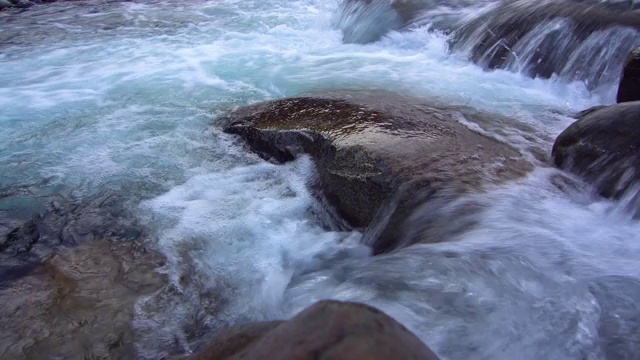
(574, 40)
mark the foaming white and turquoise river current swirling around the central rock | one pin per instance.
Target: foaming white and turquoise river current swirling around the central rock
(124, 96)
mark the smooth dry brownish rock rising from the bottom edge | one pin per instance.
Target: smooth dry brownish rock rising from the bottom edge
(326, 330)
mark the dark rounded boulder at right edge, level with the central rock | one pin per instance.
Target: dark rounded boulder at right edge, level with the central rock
(603, 147)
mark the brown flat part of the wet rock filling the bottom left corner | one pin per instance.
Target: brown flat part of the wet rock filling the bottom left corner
(79, 303)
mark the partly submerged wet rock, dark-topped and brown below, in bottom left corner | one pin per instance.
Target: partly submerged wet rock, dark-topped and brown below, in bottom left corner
(69, 280)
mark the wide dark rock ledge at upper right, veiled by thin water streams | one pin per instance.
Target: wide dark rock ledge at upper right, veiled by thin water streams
(548, 37)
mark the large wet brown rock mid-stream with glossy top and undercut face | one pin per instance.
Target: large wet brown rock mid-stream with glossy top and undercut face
(379, 155)
